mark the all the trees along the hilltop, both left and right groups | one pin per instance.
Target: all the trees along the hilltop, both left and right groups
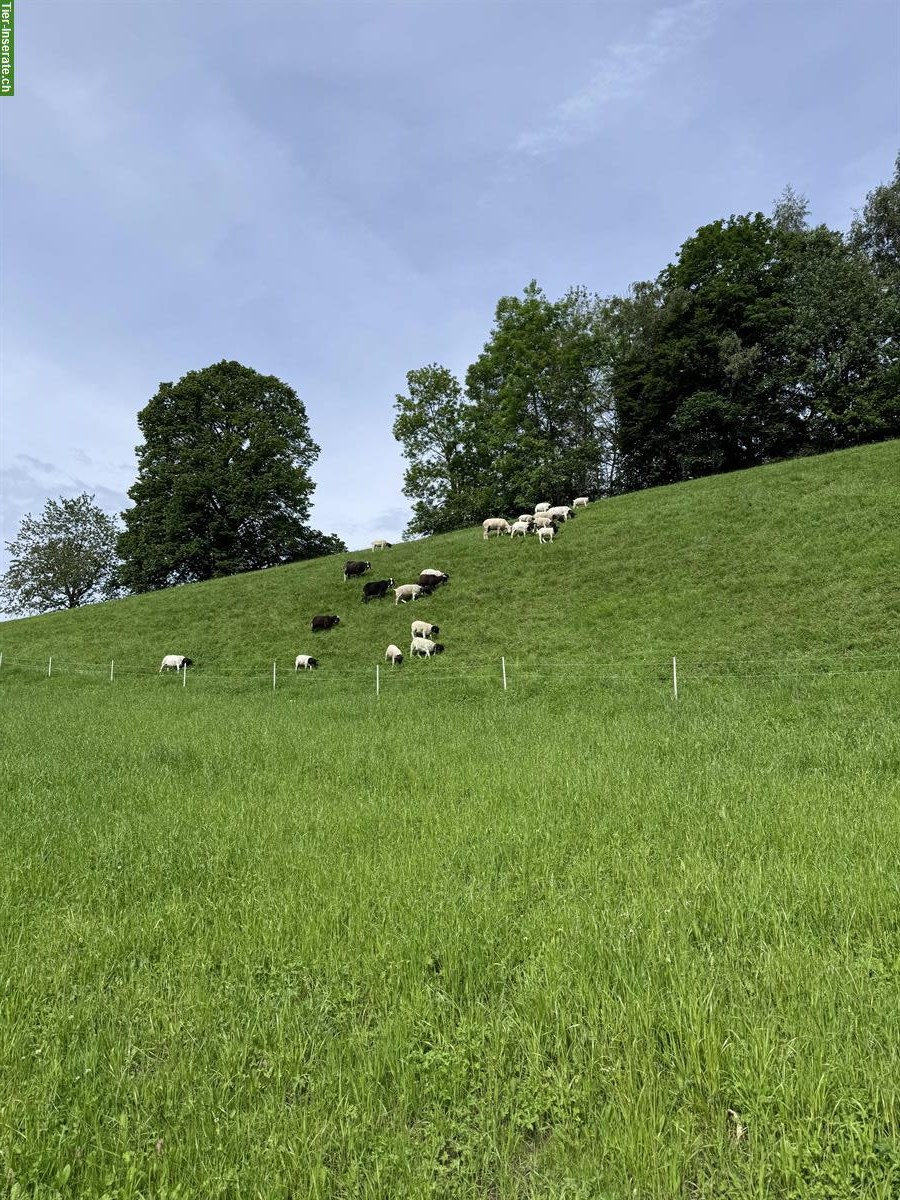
(765, 339)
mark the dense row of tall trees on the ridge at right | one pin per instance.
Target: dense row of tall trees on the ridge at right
(766, 339)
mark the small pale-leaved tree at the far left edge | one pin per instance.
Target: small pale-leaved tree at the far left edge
(62, 560)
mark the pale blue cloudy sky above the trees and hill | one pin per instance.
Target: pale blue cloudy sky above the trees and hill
(337, 193)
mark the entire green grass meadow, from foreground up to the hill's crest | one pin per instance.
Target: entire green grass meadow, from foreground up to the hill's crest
(578, 939)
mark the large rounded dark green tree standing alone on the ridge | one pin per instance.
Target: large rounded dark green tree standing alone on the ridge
(224, 481)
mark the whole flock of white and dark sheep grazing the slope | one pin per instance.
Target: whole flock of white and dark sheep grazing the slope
(544, 524)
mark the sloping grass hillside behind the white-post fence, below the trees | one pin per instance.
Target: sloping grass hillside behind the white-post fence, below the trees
(791, 559)
